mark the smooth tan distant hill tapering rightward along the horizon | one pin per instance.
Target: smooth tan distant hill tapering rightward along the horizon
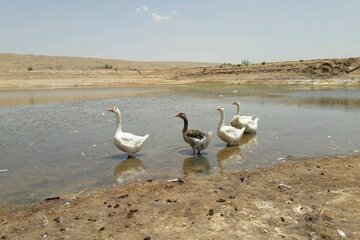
(39, 62)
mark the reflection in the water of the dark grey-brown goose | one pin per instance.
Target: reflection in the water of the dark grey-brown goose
(197, 165)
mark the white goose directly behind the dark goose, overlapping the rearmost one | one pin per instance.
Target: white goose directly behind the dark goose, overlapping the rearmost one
(228, 134)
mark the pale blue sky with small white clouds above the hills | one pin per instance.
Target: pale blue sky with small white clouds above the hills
(180, 30)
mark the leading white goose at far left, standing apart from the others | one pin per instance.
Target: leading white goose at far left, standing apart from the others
(126, 142)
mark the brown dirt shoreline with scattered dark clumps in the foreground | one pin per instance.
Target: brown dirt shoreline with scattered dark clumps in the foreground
(307, 199)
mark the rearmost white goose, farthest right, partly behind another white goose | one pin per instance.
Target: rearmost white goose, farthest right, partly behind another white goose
(249, 122)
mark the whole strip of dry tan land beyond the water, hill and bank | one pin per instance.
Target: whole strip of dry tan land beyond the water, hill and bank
(33, 72)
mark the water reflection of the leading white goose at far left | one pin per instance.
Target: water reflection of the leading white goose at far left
(129, 169)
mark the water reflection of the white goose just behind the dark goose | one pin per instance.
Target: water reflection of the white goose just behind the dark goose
(229, 156)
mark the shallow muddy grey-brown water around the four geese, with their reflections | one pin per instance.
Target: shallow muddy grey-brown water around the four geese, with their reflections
(61, 141)
